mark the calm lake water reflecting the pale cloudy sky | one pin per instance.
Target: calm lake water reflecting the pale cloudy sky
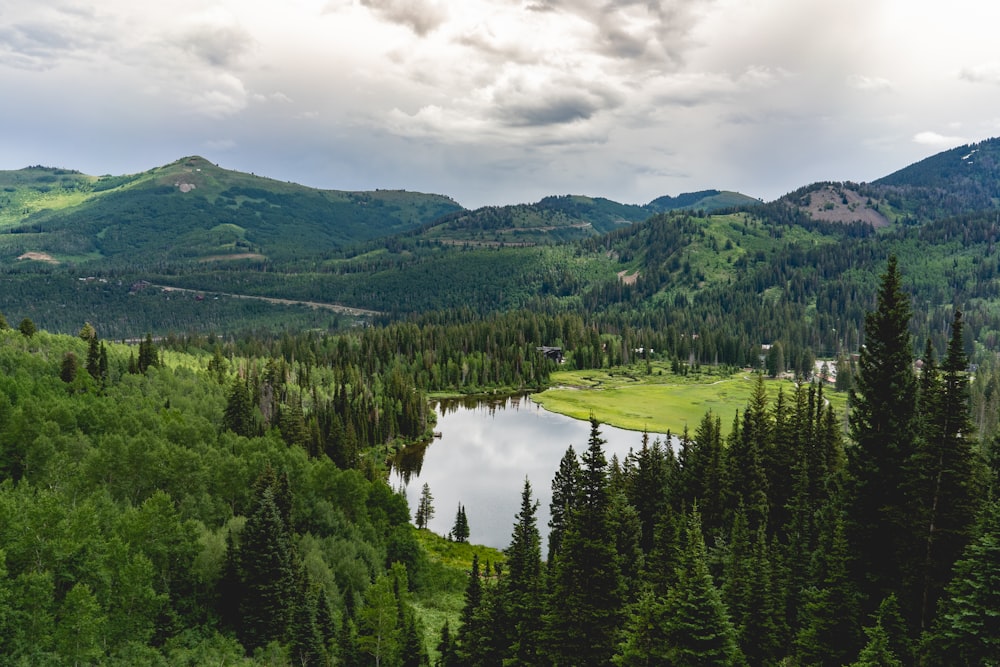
(485, 452)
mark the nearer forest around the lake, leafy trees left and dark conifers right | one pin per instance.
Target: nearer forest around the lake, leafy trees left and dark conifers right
(198, 501)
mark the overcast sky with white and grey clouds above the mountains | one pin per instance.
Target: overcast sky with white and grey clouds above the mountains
(497, 102)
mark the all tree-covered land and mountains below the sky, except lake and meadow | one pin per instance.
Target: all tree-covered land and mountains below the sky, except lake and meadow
(203, 391)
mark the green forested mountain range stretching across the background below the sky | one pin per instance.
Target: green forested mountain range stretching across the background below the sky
(145, 252)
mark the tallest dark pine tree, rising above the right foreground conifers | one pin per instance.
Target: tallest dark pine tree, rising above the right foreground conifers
(883, 425)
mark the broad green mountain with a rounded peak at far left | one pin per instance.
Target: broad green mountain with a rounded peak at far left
(193, 210)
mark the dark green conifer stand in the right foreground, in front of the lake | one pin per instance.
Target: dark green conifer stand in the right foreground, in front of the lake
(787, 543)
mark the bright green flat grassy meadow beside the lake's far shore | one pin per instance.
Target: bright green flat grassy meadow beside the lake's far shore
(660, 401)
